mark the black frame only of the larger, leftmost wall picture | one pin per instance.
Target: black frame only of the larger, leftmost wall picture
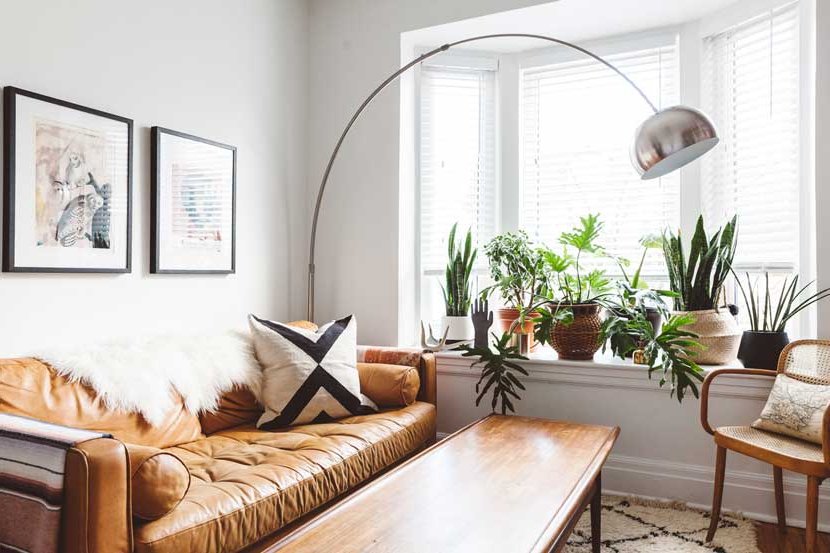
(10, 95)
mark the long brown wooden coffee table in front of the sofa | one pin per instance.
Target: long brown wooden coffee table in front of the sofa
(502, 484)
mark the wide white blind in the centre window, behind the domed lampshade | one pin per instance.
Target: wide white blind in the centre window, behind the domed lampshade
(578, 122)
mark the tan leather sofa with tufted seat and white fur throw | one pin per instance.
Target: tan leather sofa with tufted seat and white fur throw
(245, 485)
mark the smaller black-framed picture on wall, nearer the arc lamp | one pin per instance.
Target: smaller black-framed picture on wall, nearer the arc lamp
(193, 204)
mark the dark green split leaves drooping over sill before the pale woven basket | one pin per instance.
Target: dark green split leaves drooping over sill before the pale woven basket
(669, 352)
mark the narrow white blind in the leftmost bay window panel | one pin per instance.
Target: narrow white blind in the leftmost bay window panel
(457, 168)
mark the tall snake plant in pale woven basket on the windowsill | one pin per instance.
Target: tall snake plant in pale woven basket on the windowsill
(697, 283)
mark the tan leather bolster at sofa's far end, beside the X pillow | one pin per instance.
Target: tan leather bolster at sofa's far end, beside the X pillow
(389, 385)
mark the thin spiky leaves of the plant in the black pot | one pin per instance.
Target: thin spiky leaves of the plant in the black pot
(771, 314)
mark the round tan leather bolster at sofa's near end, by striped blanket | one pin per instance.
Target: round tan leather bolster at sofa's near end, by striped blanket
(159, 481)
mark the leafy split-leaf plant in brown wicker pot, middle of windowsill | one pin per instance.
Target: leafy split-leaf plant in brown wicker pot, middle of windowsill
(572, 322)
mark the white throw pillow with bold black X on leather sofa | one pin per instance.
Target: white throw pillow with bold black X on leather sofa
(307, 376)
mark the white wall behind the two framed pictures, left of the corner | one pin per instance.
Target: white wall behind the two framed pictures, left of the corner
(231, 71)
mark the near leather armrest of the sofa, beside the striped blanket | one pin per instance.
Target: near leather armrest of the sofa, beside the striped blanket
(96, 514)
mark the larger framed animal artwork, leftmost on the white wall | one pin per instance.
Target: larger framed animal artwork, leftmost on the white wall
(67, 194)
